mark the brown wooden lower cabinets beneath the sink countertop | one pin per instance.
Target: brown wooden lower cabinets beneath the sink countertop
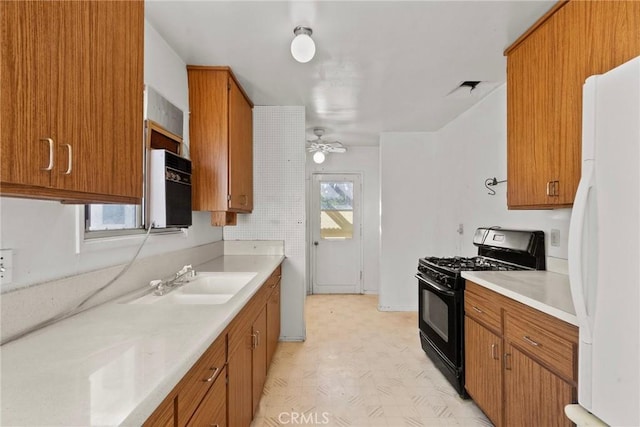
(223, 388)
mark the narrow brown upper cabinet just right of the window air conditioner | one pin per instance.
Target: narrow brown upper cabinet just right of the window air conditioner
(221, 135)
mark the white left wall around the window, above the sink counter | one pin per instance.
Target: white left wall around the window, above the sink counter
(42, 234)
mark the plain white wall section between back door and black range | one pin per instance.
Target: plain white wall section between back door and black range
(407, 175)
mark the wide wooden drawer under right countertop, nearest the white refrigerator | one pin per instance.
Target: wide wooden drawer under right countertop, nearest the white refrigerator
(557, 353)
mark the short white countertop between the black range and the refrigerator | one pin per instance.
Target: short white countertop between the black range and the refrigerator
(543, 290)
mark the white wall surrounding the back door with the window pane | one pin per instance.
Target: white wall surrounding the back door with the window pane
(364, 160)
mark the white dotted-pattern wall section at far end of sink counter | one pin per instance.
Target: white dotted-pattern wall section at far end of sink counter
(279, 204)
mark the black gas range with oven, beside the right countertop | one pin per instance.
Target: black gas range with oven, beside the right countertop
(441, 291)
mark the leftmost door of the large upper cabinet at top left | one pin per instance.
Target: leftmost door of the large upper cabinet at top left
(29, 55)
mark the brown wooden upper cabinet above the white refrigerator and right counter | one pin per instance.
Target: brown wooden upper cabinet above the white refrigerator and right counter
(546, 69)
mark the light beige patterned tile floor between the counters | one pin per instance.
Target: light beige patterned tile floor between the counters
(359, 367)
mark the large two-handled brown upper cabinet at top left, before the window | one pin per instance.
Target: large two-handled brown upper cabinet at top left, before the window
(72, 91)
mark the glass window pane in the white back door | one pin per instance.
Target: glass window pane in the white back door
(336, 210)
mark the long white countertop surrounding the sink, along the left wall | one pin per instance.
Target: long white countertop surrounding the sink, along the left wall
(114, 364)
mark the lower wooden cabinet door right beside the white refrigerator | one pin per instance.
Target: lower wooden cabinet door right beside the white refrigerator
(533, 395)
